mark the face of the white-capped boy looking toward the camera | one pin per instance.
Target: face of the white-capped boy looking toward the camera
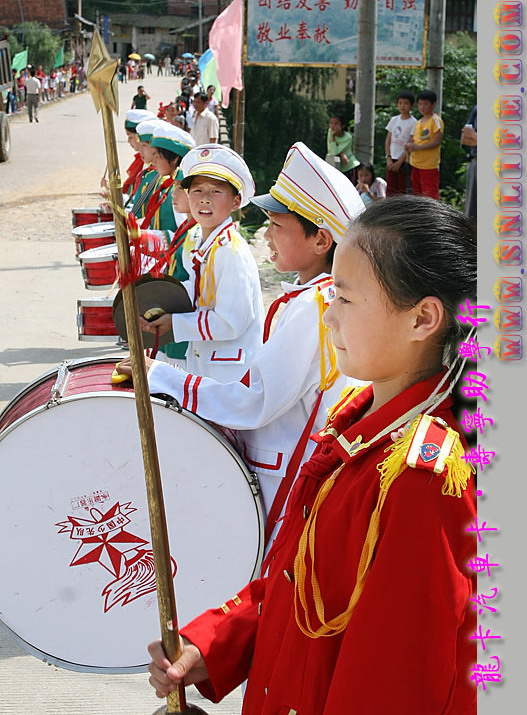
(211, 201)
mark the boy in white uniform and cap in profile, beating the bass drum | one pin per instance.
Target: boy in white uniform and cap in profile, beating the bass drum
(293, 379)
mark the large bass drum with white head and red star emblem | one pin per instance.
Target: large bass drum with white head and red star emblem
(75, 542)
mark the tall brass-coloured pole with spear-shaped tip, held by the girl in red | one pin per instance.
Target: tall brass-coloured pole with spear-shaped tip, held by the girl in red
(102, 82)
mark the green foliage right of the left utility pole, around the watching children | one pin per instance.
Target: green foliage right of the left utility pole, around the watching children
(459, 96)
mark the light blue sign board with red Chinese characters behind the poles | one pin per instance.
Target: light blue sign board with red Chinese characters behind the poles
(325, 32)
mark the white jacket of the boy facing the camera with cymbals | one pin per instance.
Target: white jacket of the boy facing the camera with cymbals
(225, 333)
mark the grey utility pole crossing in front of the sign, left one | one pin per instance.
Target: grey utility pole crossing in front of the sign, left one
(365, 93)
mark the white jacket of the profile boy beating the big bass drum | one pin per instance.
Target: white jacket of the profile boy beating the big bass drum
(273, 410)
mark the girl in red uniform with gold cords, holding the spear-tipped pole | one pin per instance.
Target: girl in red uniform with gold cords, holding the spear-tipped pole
(364, 607)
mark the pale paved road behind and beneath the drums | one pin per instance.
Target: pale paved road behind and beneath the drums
(56, 165)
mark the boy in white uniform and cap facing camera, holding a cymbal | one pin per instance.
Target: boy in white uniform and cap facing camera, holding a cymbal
(225, 330)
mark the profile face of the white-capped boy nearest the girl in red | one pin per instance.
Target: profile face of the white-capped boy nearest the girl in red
(290, 248)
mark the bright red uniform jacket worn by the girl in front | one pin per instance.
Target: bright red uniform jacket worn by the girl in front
(406, 649)
